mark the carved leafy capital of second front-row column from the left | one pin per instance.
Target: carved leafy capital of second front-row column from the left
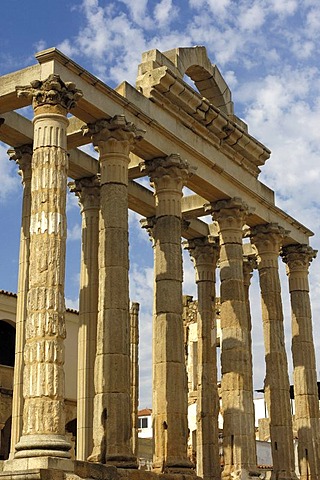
(117, 132)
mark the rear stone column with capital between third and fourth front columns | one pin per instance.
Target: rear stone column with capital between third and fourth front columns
(204, 253)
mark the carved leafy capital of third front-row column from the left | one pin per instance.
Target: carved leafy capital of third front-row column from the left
(167, 170)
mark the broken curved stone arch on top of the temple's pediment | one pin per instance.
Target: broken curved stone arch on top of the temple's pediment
(194, 62)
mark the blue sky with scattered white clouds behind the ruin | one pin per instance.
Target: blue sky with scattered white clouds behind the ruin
(267, 51)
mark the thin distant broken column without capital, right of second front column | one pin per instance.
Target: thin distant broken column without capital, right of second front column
(134, 362)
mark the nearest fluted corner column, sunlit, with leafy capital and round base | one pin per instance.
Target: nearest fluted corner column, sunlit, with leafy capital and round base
(44, 418)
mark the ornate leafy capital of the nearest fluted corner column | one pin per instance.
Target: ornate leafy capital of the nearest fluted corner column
(51, 95)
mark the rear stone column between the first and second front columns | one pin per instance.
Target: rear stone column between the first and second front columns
(88, 191)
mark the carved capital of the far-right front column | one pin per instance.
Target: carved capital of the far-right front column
(297, 257)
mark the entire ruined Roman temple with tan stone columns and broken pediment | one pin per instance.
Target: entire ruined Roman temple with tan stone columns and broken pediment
(177, 136)
